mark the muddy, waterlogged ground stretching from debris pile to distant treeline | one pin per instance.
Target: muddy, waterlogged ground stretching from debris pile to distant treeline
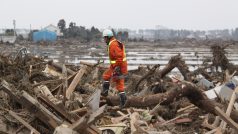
(146, 53)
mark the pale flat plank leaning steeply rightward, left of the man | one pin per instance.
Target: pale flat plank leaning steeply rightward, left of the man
(75, 81)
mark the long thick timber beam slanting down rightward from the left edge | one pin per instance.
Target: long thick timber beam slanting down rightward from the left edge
(32, 105)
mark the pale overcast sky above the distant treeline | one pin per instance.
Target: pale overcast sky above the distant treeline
(133, 14)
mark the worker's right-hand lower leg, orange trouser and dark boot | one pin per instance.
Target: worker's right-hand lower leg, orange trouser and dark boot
(120, 87)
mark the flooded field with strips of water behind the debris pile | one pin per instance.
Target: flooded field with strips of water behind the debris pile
(137, 54)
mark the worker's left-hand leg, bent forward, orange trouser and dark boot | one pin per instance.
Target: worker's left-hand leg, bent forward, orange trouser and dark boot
(106, 81)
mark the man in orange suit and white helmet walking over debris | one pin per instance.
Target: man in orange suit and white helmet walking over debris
(118, 66)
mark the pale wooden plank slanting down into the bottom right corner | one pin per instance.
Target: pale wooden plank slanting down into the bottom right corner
(227, 119)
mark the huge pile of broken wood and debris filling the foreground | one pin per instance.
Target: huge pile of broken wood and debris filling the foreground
(41, 96)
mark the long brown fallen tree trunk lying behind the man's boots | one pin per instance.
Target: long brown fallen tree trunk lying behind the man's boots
(190, 91)
